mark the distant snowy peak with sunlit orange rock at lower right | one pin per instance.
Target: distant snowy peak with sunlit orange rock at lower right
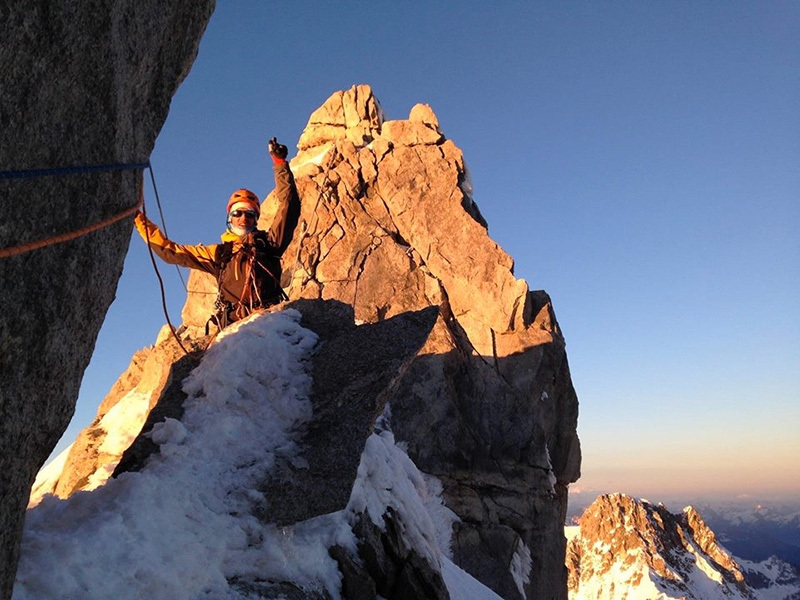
(629, 549)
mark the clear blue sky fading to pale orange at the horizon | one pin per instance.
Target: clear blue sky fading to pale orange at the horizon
(639, 160)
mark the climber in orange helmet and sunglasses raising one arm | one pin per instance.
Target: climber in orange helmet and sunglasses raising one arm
(247, 263)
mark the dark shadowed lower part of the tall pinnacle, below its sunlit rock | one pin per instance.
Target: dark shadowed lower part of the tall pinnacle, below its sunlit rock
(503, 448)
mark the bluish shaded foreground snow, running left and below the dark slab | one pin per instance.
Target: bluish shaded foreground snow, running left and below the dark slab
(185, 526)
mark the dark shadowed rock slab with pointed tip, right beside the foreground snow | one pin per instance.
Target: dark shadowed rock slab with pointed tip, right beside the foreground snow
(354, 372)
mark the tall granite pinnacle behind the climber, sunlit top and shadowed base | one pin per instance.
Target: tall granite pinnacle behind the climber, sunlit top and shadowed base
(388, 225)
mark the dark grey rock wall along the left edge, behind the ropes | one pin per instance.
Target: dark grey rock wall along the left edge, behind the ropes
(84, 83)
